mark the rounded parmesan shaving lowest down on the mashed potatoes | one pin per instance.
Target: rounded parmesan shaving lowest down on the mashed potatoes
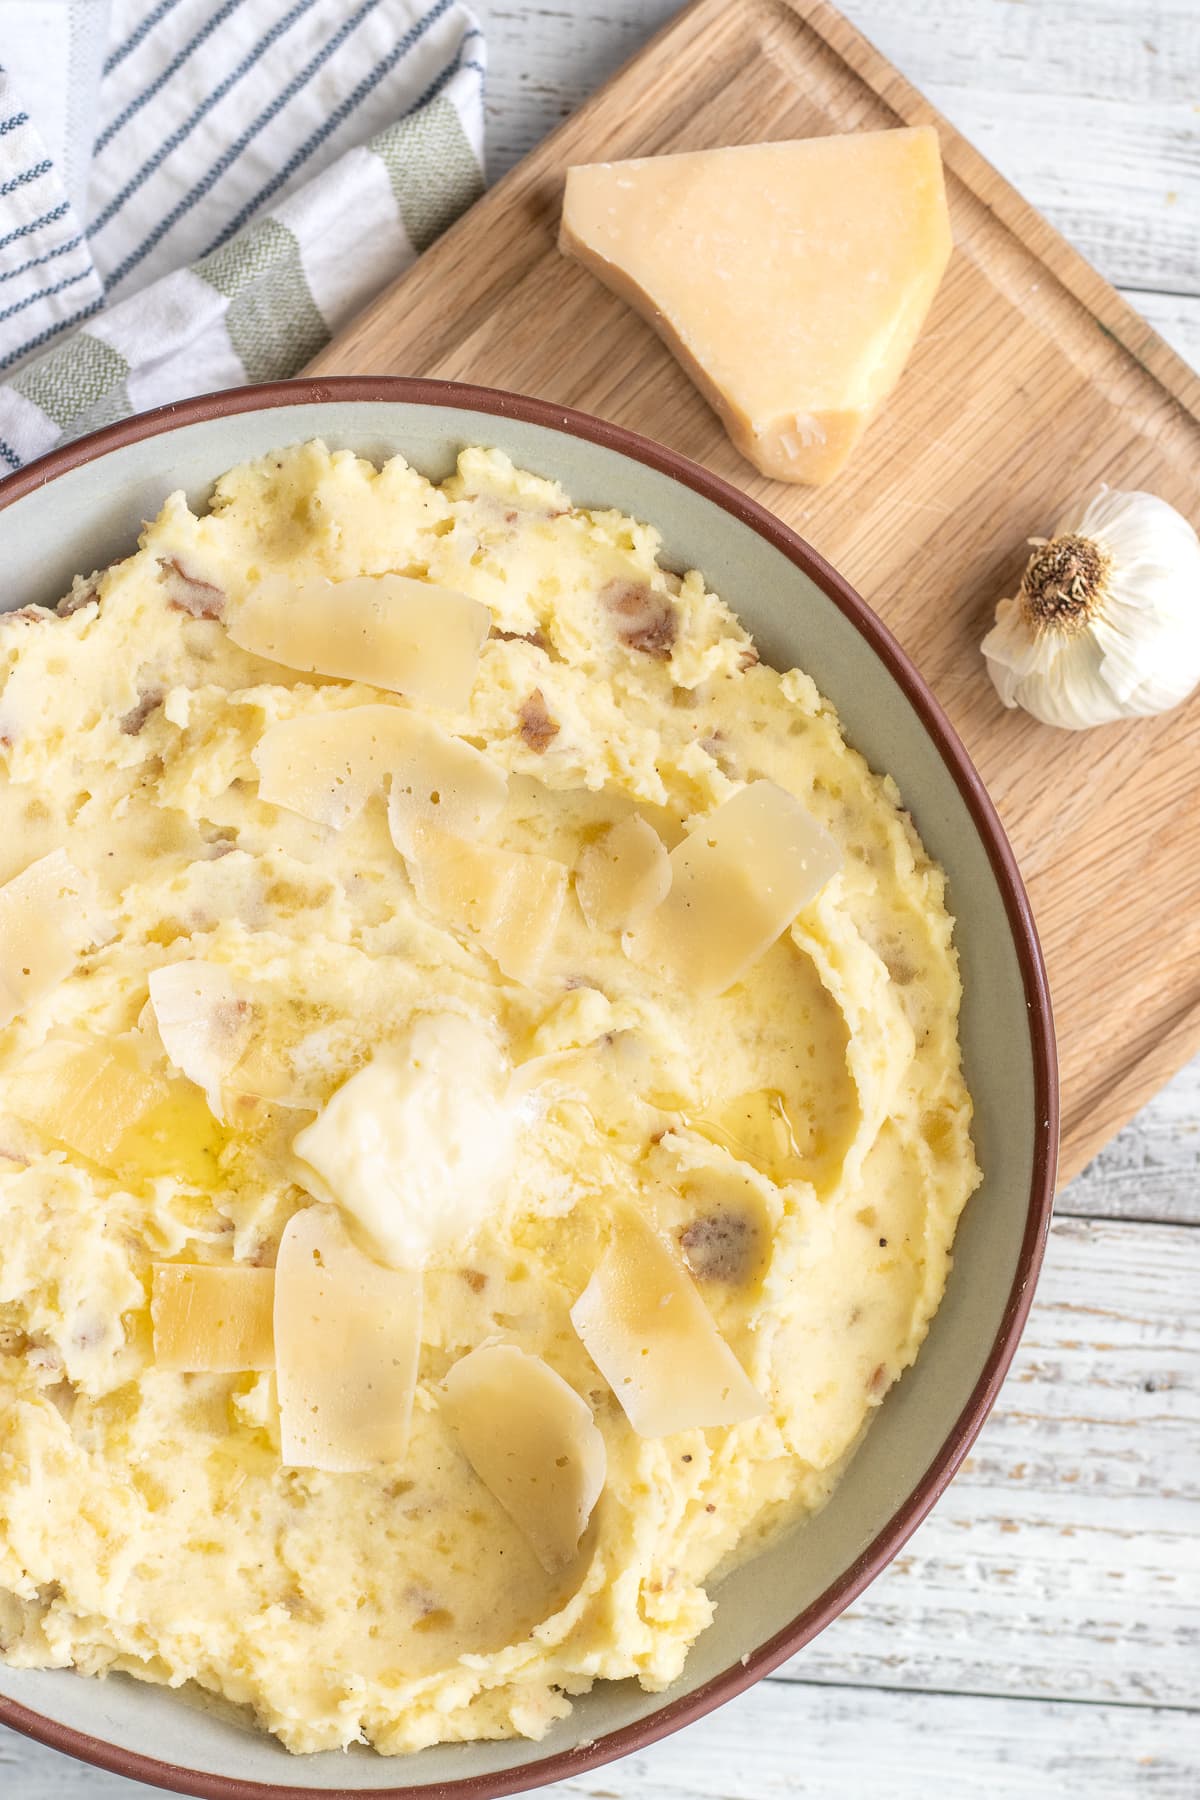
(533, 1443)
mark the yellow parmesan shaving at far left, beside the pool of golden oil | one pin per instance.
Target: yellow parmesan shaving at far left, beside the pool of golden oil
(85, 1095)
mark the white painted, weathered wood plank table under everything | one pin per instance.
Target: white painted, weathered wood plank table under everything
(1041, 1635)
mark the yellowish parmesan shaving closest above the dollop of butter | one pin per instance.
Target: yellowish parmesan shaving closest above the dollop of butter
(505, 901)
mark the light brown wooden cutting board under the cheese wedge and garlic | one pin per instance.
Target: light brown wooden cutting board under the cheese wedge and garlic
(1032, 384)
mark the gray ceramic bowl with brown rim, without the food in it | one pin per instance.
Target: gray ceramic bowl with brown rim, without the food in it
(82, 507)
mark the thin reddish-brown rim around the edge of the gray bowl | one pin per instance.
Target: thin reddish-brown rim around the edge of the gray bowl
(967, 1426)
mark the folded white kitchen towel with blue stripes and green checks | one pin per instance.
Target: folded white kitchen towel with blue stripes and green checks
(260, 168)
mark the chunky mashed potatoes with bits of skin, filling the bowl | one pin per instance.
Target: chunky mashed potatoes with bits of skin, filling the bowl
(794, 1147)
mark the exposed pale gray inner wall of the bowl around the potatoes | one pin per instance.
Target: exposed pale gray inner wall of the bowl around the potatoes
(91, 516)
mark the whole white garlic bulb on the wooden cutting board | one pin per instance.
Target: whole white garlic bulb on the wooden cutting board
(1107, 618)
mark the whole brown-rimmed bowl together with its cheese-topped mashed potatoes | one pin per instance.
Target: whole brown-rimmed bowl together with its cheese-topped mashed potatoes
(528, 1102)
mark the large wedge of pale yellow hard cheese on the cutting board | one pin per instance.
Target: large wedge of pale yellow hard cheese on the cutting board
(791, 280)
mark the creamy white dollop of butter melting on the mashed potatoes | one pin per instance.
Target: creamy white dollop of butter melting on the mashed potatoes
(416, 1146)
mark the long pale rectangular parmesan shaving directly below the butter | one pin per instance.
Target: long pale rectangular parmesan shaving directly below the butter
(348, 1336)
